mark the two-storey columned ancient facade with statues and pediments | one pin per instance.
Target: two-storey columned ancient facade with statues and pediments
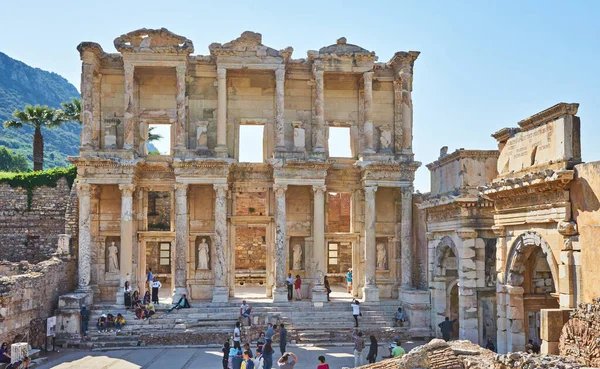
(291, 200)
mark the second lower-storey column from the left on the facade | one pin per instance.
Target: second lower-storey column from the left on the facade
(126, 250)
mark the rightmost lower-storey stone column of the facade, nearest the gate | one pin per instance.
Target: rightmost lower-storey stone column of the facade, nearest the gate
(406, 235)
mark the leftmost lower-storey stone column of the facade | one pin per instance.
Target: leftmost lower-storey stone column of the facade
(84, 253)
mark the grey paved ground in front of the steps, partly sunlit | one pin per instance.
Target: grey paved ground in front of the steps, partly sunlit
(191, 358)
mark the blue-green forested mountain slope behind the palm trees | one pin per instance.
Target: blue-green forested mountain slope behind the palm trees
(20, 85)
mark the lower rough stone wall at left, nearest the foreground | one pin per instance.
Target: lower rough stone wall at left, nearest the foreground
(29, 294)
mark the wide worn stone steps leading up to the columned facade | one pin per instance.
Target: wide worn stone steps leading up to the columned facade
(213, 323)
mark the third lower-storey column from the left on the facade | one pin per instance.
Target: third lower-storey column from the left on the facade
(181, 240)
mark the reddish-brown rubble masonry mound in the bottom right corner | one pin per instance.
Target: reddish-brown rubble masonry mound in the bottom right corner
(580, 337)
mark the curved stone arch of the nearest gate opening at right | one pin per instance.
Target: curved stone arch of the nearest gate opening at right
(521, 249)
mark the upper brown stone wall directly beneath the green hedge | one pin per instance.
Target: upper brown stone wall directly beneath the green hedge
(32, 233)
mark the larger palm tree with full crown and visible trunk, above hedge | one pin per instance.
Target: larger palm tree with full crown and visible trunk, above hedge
(37, 117)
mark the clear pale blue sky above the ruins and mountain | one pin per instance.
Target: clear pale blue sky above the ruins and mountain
(484, 65)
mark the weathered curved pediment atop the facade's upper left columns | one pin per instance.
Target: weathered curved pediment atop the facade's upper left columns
(153, 41)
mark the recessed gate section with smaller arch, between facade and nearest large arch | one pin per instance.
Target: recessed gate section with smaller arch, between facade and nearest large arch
(461, 245)
